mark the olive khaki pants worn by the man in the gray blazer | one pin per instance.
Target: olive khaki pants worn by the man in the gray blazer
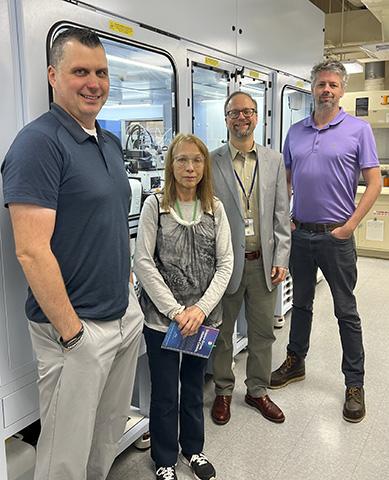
(259, 312)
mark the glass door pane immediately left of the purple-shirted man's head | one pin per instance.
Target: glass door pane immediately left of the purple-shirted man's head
(296, 105)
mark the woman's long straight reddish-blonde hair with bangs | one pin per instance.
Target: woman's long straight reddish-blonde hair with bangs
(204, 187)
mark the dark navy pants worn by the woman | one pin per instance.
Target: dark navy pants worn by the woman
(168, 408)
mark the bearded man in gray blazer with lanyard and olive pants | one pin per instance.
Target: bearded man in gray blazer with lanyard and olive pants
(250, 181)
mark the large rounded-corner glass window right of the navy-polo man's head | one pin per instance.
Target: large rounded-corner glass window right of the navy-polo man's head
(140, 108)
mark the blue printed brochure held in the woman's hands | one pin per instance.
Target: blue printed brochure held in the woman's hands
(199, 344)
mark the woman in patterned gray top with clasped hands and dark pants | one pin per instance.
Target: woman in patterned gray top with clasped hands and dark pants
(183, 261)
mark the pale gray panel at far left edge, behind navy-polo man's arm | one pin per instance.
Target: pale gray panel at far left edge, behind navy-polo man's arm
(15, 349)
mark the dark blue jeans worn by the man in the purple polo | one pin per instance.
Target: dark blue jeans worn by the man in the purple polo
(337, 260)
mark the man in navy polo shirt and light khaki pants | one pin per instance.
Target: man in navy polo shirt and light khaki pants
(68, 195)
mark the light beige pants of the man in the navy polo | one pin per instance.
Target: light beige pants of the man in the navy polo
(85, 395)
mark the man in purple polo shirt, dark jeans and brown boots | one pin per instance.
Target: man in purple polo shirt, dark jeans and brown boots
(324, 155)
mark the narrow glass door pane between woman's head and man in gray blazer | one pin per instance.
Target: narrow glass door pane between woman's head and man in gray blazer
(210, 88)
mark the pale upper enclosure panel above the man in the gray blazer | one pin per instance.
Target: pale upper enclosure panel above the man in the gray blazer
(287, 36)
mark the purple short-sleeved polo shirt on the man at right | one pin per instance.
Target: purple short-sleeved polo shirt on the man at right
(325, 165)
